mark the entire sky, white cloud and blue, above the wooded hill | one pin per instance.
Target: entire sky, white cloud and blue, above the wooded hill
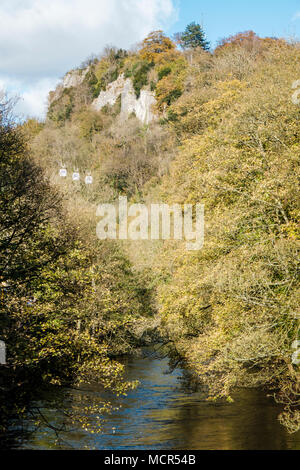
(40, 40)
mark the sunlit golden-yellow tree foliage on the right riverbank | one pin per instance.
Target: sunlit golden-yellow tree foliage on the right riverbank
(239, 156)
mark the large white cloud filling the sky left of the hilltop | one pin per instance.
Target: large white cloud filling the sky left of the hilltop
(40, 40)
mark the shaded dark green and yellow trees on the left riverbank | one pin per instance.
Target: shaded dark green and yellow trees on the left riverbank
(52, 294)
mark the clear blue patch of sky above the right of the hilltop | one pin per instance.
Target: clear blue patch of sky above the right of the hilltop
(222, 18)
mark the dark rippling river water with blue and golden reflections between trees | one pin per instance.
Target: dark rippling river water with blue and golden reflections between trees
(163, 413)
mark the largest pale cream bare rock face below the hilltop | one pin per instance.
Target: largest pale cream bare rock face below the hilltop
(142, 106)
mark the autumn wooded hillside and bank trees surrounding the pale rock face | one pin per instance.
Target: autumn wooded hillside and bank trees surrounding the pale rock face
(227, 136)
